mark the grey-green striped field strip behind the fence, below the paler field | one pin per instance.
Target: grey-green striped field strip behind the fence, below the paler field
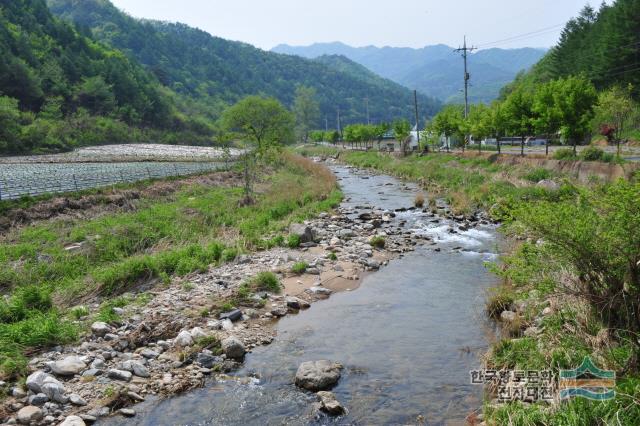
(20, 180)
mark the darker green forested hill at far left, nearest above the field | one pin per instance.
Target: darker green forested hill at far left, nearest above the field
(60, 89)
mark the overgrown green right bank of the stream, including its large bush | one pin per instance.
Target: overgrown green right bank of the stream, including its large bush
(572, 280)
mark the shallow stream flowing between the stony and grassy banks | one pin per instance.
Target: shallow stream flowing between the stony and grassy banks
(408, 337)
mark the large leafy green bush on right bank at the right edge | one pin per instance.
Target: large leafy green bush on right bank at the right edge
(597, 236)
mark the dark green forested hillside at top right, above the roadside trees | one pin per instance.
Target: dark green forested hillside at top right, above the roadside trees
(603, 45)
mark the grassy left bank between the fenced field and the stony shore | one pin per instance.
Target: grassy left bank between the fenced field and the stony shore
(49, 266)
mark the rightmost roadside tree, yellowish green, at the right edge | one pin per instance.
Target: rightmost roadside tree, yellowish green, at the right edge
(615, 107)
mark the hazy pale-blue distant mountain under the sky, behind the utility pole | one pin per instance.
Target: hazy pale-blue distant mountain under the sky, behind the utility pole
(433, 70)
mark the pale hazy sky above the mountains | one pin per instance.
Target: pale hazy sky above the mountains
(412, 23)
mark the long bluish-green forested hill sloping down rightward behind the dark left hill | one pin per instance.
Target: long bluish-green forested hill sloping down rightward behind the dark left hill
(218, 71)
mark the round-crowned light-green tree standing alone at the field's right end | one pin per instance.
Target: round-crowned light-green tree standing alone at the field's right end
(261, 122)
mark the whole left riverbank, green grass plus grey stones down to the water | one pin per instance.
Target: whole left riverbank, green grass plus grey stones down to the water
(158, 331)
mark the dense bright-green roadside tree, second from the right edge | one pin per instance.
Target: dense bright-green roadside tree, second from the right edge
(574, 99)
